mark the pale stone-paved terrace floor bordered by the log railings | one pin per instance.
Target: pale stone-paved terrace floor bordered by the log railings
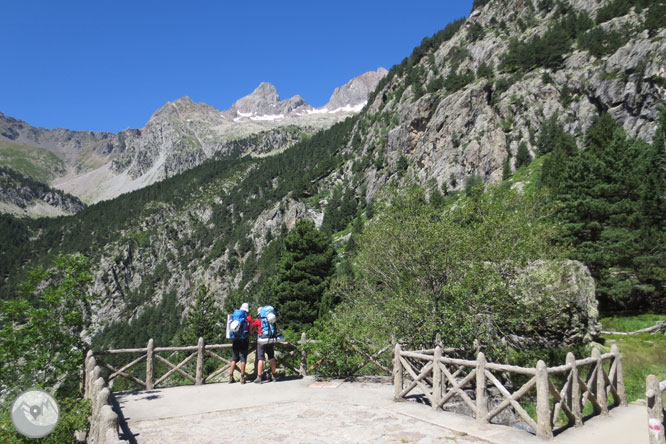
(307, 411)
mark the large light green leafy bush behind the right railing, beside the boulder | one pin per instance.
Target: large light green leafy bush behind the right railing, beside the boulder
(424, 271)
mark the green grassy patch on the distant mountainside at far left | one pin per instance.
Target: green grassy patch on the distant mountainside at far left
(37, 163)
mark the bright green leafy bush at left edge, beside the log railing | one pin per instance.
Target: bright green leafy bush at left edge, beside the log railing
(40, 331)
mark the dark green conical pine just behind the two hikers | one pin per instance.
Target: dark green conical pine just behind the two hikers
(303, 275)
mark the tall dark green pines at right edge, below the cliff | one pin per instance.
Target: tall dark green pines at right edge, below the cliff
(606, 208)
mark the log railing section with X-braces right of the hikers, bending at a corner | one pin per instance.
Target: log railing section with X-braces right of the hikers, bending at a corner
(442, 378)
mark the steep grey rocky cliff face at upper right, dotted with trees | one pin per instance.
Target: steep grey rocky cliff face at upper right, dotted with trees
(450, 132)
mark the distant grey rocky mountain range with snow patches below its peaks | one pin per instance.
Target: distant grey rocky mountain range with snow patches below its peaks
(181, 134)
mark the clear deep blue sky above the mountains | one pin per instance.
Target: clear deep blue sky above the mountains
(107, 65)
